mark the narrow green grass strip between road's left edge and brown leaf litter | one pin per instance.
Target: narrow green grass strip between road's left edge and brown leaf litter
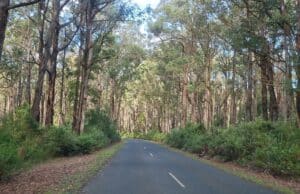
(75, 182)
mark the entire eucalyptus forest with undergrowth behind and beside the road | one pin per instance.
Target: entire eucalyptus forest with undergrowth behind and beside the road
(219, 78)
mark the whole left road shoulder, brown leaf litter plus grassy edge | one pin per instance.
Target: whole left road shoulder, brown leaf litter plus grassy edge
(60, 175)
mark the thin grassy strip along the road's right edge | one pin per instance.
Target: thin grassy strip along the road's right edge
(244, 174)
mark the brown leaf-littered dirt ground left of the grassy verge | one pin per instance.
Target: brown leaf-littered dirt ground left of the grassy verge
(46, 175)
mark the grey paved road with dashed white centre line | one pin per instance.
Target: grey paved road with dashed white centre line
(142, 167)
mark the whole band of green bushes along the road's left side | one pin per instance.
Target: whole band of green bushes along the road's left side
(23, 142)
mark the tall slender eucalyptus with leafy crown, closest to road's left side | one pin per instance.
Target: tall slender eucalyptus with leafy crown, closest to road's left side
(97, 20)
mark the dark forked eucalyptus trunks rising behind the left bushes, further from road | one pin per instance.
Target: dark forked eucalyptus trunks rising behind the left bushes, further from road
(49, 48)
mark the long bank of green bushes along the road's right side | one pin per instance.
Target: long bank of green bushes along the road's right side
(273, 147)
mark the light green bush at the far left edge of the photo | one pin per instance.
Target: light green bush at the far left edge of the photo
(21, 141)
